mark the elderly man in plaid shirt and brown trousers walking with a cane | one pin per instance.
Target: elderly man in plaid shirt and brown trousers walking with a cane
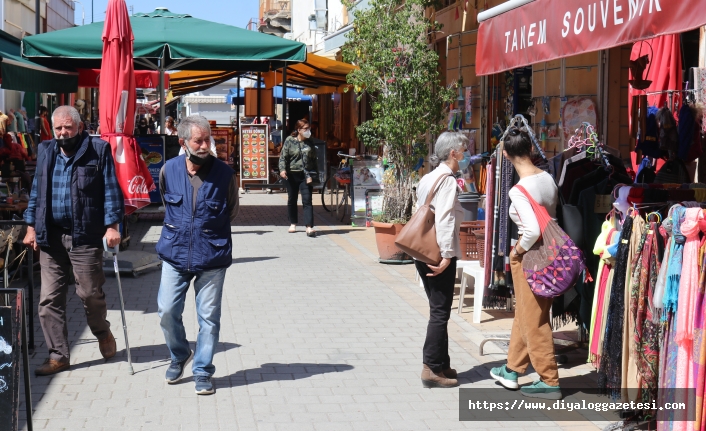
(74, 205)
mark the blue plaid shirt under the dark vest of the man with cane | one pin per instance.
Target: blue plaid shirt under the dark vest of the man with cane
(61, 195)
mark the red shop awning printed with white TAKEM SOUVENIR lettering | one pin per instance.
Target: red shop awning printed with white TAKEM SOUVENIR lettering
(549, 29)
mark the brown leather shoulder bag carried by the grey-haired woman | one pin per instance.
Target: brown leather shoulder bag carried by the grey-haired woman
(418, 237)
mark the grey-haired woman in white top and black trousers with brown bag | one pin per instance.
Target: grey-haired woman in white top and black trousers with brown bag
(450, 155)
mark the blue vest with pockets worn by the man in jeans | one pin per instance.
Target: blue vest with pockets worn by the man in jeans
(195, 241)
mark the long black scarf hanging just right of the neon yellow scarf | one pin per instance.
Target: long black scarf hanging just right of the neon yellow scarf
(610, 372)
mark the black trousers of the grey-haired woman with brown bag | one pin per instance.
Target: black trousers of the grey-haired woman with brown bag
(440, 291)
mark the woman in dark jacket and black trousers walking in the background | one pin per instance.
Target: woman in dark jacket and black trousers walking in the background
(298, 166)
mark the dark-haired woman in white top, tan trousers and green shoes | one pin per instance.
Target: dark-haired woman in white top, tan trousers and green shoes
(531, 340)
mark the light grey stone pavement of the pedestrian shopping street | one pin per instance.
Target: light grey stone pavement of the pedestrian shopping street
(315, 335)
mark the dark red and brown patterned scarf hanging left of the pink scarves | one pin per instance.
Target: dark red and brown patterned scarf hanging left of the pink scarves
(646, 333)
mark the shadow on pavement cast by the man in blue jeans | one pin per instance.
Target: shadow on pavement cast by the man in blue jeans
(277, 372)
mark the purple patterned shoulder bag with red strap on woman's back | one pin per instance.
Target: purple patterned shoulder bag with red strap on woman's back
(554, 263)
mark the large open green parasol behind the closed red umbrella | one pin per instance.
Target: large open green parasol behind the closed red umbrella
(168, 41)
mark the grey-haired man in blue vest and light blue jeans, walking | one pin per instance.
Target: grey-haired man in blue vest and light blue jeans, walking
(200, 195)
